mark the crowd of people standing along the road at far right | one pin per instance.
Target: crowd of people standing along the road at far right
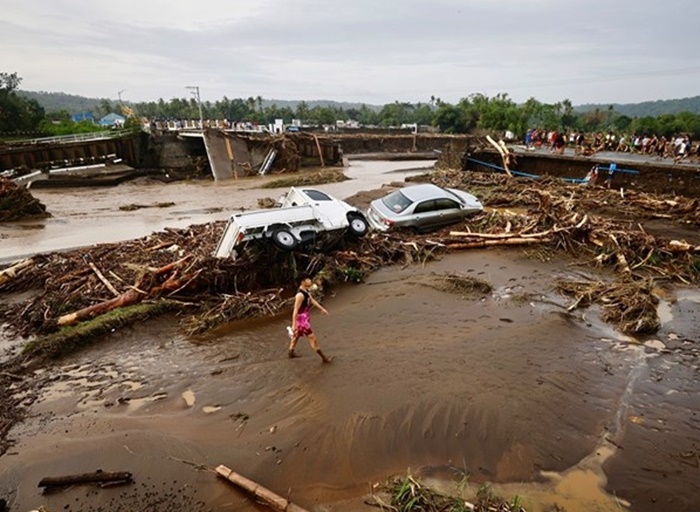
(678, 147)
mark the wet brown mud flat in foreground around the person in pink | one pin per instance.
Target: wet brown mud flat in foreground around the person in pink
(504, 387)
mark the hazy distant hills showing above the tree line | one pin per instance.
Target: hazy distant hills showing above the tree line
(53, 101)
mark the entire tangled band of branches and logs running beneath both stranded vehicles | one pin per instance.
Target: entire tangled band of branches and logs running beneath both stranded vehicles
(115, 284)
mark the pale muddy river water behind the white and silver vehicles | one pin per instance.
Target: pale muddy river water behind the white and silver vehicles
(85, 216)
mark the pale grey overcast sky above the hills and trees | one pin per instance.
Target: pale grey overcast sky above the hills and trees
(370, 51)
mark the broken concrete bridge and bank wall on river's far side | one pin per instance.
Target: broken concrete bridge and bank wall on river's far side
(227, 154)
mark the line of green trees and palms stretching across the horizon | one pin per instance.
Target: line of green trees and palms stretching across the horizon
(471, 114)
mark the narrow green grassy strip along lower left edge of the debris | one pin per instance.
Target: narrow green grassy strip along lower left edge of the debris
(73, 337)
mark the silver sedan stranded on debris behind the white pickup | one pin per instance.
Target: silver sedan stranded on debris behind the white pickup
(422, 207)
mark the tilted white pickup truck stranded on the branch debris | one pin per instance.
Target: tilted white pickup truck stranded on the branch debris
(303, 213)
